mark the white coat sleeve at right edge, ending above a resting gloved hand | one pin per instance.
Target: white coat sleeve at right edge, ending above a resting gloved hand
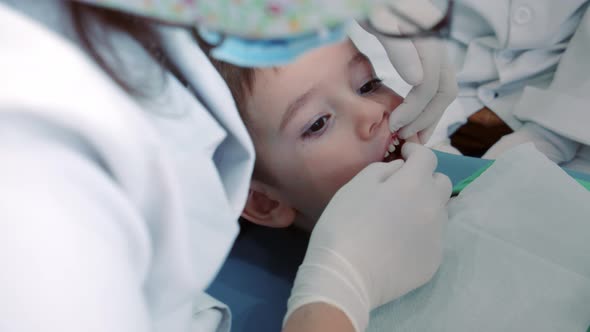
(562, 108)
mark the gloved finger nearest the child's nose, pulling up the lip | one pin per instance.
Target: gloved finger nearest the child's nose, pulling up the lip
(420, 95)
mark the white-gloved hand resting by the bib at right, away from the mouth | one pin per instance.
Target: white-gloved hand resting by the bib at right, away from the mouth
(556, 147)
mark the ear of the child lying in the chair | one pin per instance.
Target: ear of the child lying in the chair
(265, 207)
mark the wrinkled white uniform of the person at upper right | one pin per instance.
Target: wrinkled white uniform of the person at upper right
(528, 62)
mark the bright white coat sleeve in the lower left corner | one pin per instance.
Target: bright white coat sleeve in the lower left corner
(73, 251)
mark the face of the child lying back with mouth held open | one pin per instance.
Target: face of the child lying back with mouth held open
(316, 123)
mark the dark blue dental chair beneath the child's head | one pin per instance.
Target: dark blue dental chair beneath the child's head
(256, 279)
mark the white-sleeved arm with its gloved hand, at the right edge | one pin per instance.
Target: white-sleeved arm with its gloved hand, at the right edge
(556, 117)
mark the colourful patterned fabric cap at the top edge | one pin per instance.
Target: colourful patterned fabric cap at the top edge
(260, 19)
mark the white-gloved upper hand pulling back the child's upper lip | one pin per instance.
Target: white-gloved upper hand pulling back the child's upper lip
(423, 64)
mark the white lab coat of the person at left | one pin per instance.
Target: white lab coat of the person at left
(115, 213)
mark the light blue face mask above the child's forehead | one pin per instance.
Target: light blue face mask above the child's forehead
(272, 52)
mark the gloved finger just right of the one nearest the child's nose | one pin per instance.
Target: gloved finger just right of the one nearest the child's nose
(447, 91)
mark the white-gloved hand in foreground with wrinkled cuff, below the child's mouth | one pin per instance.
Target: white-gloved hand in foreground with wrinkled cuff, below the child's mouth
(379, 237)
